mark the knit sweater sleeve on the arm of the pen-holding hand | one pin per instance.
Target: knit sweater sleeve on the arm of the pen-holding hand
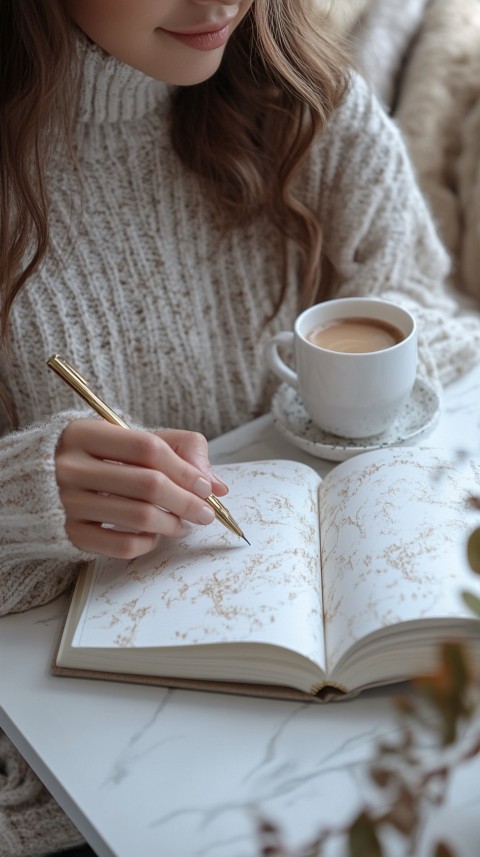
(37, 560)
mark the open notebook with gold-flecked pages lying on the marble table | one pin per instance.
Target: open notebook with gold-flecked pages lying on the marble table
(349, 582)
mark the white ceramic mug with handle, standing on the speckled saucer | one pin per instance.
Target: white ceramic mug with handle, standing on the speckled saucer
(350, 394)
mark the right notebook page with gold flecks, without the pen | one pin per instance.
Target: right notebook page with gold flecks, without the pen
(394, 526)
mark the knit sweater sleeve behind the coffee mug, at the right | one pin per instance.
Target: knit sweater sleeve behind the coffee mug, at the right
(380, 236)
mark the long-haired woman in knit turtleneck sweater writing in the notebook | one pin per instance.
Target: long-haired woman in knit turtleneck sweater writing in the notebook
(178, 179)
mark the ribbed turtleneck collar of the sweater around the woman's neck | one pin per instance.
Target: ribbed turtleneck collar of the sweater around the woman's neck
(111, 91)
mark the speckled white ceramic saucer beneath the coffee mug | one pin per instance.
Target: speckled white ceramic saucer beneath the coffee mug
(418, 417)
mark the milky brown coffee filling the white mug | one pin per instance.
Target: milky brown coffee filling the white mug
(356, 335)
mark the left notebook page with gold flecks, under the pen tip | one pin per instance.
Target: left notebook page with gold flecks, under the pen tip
(211, 587)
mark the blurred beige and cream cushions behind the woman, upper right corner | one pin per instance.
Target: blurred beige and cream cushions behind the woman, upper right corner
(422, 59)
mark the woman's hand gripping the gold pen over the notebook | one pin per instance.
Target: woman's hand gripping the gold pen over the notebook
(135, 480)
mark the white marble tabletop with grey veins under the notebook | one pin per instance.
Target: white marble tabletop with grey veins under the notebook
(151, 772)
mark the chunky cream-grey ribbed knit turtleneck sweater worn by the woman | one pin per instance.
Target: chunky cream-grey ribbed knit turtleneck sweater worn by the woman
(165, 316)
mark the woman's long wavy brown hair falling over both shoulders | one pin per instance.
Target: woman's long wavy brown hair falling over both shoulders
(280, 80)
